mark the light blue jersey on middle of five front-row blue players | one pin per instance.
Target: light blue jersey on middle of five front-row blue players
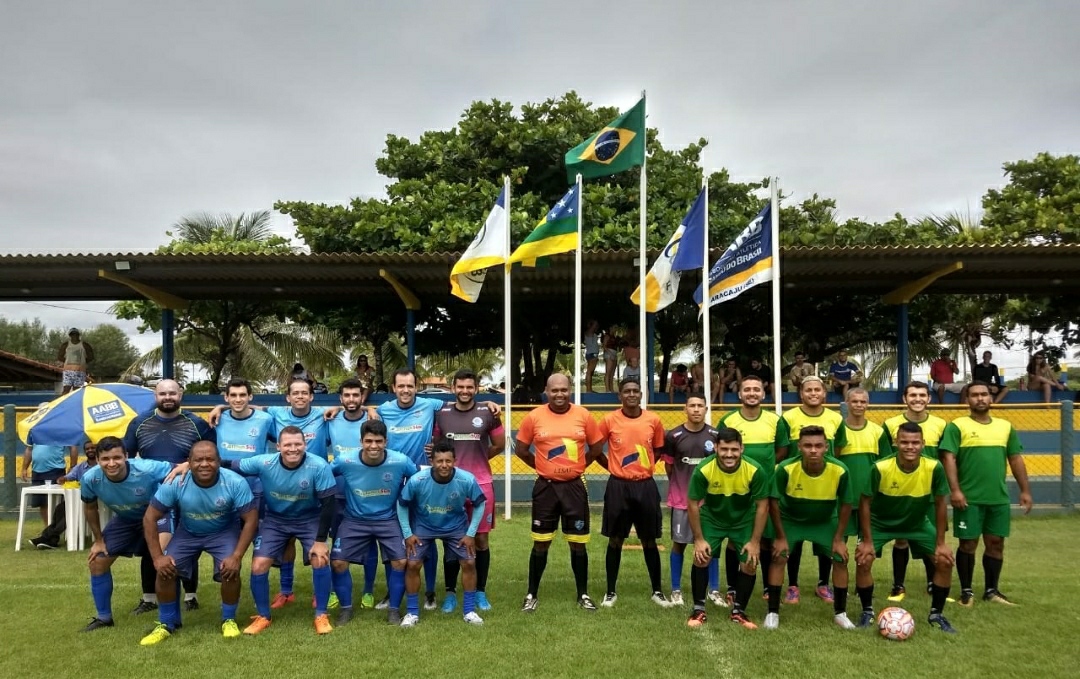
(292, 494)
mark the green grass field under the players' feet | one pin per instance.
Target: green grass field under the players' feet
(45, 601)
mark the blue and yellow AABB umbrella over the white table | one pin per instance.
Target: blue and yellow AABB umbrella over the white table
(93, 412)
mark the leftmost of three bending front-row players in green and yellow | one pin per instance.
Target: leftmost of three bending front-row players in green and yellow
(730, 500)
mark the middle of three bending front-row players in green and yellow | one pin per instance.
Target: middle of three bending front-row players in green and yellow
(812, 500)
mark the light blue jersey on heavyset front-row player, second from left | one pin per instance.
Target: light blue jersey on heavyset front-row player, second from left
(207, 511)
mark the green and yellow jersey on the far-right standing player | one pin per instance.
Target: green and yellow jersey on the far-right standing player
(982, 456)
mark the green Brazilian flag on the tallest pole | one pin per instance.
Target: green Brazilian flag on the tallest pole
(618, 147)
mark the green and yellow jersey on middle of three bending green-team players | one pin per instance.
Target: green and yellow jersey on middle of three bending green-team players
(807, 499)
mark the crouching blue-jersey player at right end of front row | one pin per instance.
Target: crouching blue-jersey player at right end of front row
(433, 507)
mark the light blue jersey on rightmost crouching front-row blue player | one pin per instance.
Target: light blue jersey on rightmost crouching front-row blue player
(439, 510)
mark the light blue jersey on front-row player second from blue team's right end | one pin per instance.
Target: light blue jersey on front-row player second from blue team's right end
(372, 493)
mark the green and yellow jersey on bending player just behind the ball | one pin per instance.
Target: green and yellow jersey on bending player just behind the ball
(900, 501)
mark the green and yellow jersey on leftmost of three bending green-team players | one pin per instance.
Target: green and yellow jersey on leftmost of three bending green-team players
(730, 498)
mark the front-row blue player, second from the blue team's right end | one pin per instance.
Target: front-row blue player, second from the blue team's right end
(374, 479)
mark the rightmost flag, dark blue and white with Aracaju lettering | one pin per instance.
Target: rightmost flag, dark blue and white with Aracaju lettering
(747, 263)
